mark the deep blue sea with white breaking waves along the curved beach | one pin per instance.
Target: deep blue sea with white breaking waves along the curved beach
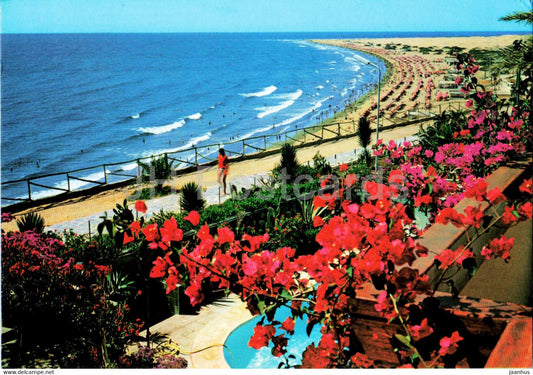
(72, 101)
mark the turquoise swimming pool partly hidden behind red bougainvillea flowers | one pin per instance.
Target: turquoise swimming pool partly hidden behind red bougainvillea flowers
(238, 354)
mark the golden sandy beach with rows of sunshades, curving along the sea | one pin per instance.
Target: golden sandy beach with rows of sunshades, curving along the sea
(412, 87)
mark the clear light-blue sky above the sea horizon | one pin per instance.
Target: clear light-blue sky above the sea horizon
(59, 16)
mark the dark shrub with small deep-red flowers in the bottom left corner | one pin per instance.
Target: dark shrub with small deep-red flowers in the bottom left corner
(59, 308)
